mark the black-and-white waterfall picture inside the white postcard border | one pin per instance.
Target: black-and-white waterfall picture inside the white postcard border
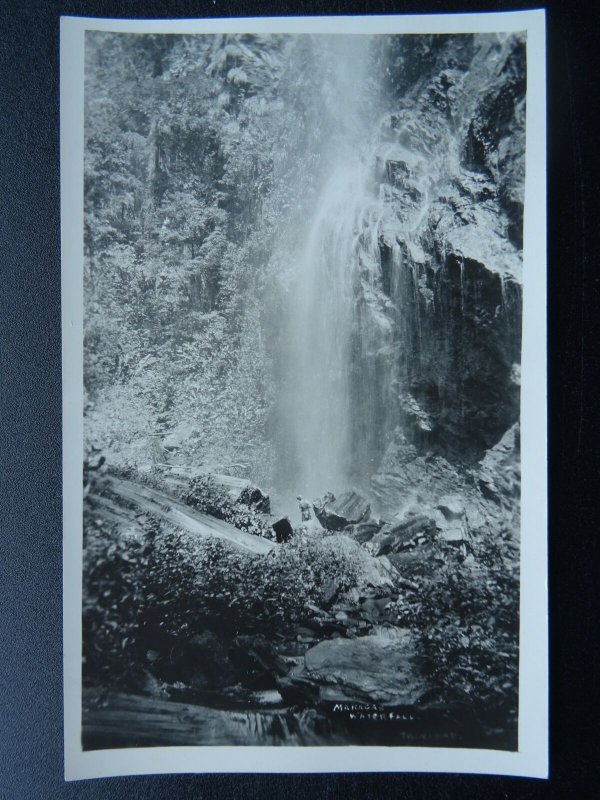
(303, 266)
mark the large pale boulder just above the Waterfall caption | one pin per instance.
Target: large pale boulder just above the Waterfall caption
(370, 669)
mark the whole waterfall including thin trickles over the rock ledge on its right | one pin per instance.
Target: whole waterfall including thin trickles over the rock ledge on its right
(343, 343)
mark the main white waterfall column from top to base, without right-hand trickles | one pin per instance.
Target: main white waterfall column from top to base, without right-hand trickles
(337, 262)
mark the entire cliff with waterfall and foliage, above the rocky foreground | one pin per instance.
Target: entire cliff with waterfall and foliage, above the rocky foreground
(314, 242)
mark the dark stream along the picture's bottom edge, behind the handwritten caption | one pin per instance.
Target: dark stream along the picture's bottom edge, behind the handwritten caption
(118, 719)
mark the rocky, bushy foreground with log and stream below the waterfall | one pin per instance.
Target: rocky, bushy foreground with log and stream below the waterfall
(363, 643)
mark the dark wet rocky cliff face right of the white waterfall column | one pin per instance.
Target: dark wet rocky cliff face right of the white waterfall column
(447, 303)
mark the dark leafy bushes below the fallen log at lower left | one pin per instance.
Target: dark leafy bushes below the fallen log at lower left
(145, 594)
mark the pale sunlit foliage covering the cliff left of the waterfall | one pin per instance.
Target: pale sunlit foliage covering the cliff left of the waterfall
(201, 152)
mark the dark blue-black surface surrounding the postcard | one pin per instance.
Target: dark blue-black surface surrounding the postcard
(31, 753)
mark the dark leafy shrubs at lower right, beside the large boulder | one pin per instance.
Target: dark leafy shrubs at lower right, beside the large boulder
(467, 620)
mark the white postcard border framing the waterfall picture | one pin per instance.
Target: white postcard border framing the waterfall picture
(532, 757)
